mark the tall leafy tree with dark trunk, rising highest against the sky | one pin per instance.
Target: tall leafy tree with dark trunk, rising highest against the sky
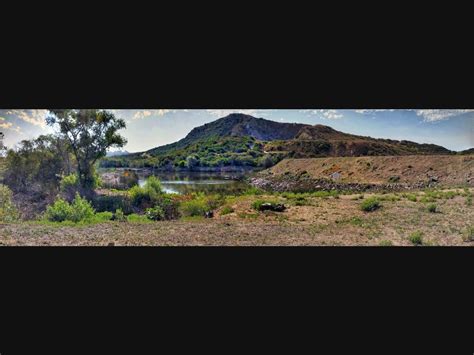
(90, 133)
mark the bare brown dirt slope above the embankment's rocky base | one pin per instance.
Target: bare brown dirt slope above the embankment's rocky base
(448, 170)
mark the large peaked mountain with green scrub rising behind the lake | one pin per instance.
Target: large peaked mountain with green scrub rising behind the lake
(239, 140)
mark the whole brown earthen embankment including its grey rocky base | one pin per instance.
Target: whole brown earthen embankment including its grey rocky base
(368, 173)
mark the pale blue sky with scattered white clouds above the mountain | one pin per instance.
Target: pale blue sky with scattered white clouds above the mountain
(149, 128)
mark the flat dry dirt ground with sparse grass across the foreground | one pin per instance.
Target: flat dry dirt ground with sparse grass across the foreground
(309, 221)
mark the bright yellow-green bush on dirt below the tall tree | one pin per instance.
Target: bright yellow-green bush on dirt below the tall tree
(78, 211)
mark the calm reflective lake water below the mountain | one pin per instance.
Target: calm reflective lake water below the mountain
(209, 182)
